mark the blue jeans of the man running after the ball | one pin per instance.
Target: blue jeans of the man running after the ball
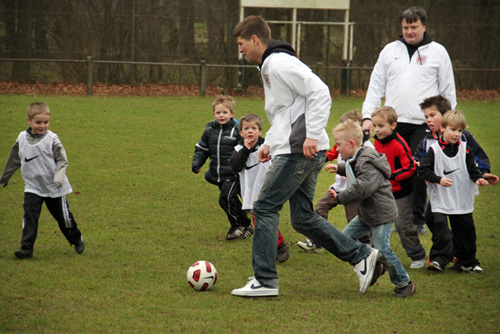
(293, 177)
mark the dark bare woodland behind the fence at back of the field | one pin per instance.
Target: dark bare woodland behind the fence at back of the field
(164, 41)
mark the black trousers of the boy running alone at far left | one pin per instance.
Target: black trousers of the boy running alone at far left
(58, 208)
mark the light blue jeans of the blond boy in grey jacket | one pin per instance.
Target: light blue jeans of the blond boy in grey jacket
(380, 236)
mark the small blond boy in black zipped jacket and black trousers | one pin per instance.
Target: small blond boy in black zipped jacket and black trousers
(217, 143)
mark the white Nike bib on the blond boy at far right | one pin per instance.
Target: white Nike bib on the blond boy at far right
(459, 198)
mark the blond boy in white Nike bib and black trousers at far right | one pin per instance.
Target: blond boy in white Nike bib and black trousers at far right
(453, 177)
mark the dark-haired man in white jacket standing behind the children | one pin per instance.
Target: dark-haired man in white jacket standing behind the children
(409, 70)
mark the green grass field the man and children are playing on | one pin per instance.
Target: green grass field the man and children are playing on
(146, 217)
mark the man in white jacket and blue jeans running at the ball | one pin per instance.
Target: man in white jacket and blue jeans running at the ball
(297, 104)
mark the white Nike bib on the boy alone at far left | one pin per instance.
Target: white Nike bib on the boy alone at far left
(38, 167)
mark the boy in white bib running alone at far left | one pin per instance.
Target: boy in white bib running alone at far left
(43, 162)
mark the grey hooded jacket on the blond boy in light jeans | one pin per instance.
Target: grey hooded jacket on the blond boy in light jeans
(372, 189)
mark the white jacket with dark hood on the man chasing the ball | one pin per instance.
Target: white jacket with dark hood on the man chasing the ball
(297, 101)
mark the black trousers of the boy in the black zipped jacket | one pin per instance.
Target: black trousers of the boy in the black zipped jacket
(230, 202)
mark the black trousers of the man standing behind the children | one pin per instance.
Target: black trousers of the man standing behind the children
(413, 135)
